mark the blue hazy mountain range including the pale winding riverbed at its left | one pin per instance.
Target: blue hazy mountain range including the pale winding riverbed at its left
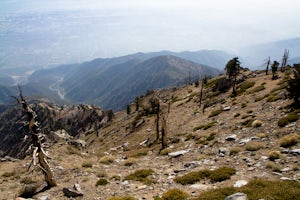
(115, 82)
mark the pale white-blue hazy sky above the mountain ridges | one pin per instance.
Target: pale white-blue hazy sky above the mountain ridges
(117, 27)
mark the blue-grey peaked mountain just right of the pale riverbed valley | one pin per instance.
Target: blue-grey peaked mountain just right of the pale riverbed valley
(120, 84)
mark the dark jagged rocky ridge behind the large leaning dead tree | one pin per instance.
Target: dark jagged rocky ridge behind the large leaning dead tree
(75, 120)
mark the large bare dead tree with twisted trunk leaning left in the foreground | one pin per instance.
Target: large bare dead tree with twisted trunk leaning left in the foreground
(37, 137)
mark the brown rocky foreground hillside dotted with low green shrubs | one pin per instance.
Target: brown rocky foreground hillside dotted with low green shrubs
(245, 143)
